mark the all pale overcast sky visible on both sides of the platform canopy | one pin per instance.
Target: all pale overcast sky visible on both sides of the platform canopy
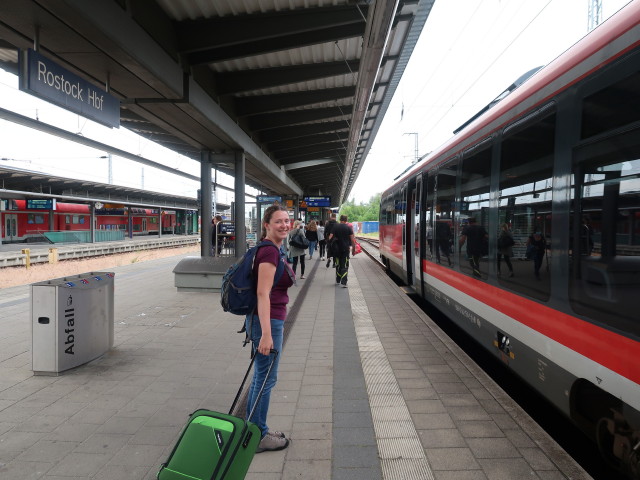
(468, 53)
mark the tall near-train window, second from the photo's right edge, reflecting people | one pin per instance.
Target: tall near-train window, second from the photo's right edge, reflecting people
(525, 191)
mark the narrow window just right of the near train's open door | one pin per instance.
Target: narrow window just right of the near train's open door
(446, 211)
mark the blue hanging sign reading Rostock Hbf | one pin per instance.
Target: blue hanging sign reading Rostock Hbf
(46, 79)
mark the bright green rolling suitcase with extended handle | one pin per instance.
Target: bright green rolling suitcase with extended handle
(214, 445)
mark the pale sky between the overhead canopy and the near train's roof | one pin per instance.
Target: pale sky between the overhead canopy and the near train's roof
(467, 54)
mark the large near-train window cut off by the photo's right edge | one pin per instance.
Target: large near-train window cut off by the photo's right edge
(604, 238)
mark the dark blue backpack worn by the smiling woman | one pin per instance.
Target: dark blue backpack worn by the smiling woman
(238, 292)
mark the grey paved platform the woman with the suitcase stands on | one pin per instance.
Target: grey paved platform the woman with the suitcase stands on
(368, 388)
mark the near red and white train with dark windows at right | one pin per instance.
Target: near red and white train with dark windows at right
(556, 162)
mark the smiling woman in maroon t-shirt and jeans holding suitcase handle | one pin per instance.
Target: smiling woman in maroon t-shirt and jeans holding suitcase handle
(267, 326)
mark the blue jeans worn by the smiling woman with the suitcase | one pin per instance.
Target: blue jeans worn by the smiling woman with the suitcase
(260, 367)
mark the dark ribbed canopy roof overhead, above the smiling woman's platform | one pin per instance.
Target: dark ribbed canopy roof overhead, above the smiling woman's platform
(300, 86)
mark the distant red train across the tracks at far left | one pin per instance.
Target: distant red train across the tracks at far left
(23, 224)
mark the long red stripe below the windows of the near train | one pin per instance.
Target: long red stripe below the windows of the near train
(614, 351)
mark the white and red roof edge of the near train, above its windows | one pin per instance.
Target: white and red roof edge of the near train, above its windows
(548, 80)
